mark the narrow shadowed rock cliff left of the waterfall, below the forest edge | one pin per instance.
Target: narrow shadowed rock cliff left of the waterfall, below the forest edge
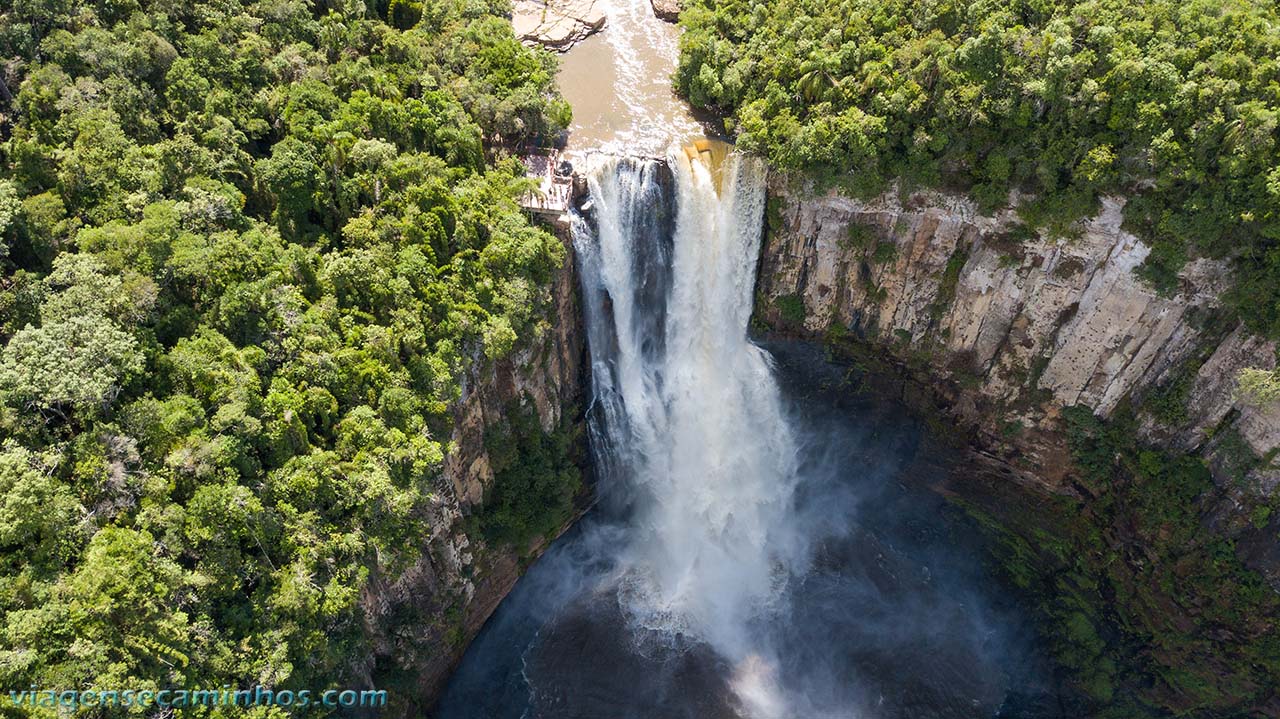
(424, 621)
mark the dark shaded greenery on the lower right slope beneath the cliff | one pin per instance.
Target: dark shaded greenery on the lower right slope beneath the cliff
(1153, 612)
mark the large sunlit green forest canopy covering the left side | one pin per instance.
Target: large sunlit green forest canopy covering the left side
(249, 248)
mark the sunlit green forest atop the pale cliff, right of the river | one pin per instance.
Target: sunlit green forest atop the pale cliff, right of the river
(1174, 104)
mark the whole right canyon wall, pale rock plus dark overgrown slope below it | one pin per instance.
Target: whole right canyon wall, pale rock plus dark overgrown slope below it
(1148, 576)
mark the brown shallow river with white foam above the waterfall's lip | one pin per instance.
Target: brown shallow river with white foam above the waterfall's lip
(619, 83)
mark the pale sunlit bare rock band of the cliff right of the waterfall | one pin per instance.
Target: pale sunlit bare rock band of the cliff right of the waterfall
(1014, 326)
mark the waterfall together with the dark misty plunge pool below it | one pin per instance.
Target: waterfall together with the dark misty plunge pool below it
(729, 571)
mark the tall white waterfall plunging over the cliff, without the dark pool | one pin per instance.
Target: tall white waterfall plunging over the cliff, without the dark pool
(688, 422)
